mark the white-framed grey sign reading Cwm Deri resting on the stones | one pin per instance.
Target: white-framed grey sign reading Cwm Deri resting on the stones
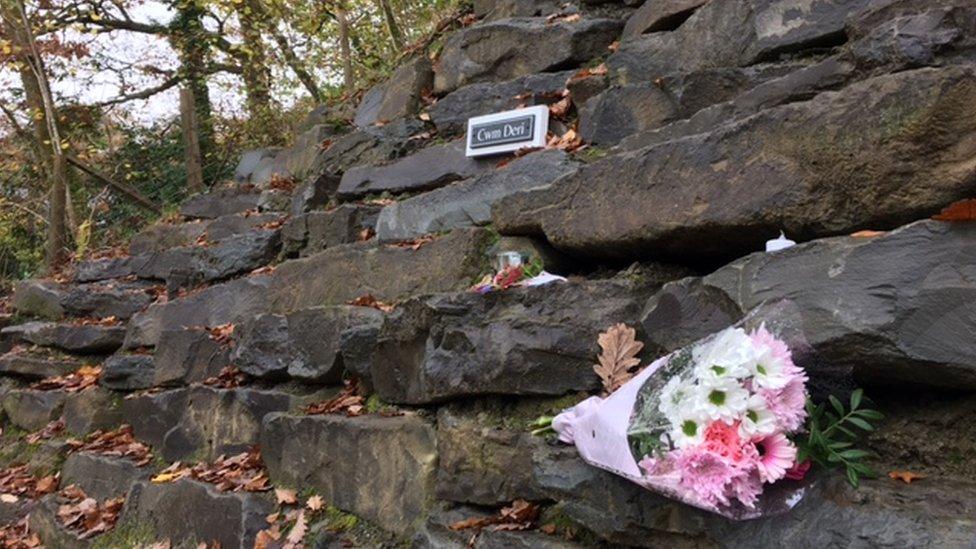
(508, 131)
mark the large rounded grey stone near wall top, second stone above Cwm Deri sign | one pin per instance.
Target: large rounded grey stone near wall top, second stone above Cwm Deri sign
(496, 51)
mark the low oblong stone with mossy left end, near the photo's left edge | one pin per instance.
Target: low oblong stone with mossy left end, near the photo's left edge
(53, 300)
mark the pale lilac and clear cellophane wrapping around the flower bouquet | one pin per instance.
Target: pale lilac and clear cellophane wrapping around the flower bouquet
(628, 434)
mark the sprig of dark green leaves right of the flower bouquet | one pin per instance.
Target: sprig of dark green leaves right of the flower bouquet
(832, 432)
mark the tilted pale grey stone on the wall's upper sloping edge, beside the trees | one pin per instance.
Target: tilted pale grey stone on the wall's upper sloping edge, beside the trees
(399, 96)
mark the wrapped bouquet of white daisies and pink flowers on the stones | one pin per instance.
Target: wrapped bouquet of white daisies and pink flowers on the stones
(709, 424)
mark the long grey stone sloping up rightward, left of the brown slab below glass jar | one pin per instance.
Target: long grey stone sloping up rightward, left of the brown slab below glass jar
(219, 304)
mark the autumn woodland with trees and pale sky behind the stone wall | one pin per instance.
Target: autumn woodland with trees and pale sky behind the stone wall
(76, 162)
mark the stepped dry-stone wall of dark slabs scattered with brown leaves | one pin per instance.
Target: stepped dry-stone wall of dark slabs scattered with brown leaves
(709, 126)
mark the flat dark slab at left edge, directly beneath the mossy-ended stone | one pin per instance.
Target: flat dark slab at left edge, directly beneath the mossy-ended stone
(73, 338)
